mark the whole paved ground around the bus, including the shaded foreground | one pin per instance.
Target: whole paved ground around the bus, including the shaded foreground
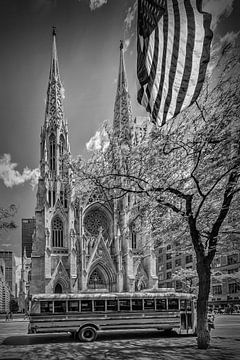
(17, 344)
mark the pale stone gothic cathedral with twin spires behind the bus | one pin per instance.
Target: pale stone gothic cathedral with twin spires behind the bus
(78, 243)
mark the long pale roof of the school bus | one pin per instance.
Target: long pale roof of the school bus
(108, 295)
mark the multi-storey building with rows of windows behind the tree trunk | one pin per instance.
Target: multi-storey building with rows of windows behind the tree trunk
(225, 286)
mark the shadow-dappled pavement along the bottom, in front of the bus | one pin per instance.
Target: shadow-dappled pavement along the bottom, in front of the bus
(140, 349)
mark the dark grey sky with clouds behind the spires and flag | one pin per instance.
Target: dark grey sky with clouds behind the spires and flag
(88, 38)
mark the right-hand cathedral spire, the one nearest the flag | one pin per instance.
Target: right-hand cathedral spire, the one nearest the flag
(122, 109)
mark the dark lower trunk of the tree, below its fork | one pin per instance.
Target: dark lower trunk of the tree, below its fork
(204, 275)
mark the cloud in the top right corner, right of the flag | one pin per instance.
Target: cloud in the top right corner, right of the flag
(218, 8)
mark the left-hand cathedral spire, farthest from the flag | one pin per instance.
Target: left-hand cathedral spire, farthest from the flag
(54, 103)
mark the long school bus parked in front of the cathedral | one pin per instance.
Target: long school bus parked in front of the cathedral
(85, 314)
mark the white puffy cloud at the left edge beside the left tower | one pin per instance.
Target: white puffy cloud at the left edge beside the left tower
(12, 177)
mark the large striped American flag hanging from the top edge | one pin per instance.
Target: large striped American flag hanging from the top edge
(173, 49)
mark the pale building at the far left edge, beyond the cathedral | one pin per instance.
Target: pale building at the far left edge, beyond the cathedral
(10, 269)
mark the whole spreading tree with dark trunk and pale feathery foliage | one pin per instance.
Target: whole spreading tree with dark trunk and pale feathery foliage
(184, 177)
